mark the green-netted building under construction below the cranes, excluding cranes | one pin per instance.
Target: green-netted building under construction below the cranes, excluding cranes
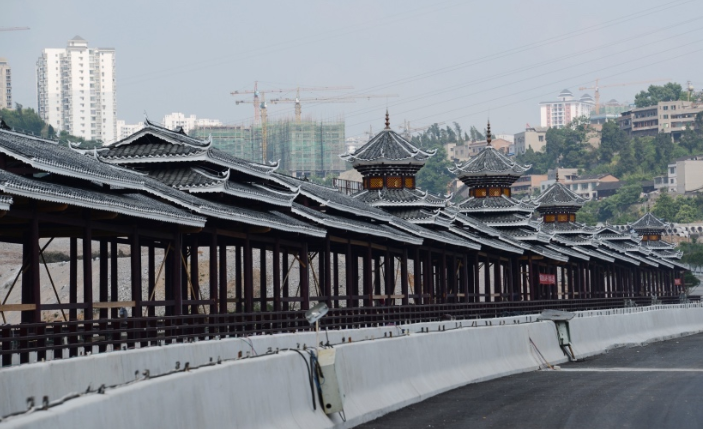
(304, 147)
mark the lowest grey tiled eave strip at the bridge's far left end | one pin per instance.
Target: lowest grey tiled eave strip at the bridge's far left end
(132, 204)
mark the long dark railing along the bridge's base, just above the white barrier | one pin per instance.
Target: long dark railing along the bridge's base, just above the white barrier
(77, 337)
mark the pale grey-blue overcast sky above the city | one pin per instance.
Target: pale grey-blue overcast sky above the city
(447, 60)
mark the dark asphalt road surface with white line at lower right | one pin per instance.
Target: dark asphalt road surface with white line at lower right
(656, 386)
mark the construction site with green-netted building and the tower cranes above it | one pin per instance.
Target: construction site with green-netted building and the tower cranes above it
(304, 146)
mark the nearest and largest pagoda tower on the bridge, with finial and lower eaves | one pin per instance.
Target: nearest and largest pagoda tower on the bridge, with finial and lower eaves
(389, 164)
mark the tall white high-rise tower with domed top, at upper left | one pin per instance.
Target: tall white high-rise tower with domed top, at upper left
(76, 90)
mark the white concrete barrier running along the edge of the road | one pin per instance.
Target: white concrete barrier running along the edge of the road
(375, 377)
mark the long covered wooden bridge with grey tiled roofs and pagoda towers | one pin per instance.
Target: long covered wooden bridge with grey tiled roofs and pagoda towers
(221, 246)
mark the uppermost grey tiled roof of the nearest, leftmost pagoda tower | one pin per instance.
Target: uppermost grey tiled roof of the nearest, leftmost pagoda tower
(388, 147)
